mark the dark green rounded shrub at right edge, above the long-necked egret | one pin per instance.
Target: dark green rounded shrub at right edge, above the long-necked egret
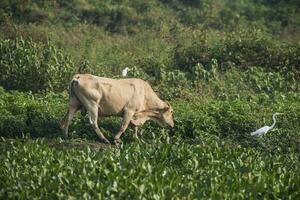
(255, 49)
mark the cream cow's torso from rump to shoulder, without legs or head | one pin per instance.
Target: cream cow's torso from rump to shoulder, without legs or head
(112, 95)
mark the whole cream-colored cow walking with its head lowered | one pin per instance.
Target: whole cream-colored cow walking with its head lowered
(133, 99)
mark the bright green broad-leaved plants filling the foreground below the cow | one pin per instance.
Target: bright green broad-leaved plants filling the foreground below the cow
(166, 168)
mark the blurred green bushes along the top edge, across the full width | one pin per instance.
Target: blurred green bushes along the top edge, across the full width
(125, 16)
